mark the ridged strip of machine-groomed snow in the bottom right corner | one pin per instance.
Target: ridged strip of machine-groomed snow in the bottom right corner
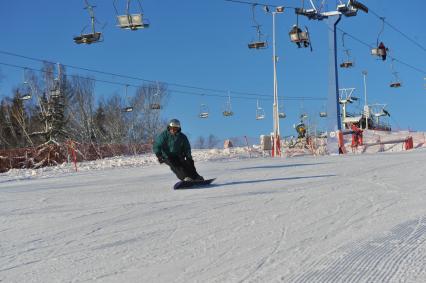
(385, 259)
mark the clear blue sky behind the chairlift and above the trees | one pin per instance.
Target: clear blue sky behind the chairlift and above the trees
(202, 44)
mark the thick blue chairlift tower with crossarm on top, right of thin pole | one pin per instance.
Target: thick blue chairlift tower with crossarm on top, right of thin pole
(350, 9)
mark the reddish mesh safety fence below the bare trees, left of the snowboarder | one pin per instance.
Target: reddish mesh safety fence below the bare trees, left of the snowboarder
(54, 154)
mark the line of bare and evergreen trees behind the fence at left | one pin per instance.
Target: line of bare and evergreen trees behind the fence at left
(51, 107)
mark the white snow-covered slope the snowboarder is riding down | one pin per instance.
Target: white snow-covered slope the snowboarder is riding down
(348, 218)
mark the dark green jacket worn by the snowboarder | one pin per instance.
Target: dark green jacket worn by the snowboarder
(168, 145)
